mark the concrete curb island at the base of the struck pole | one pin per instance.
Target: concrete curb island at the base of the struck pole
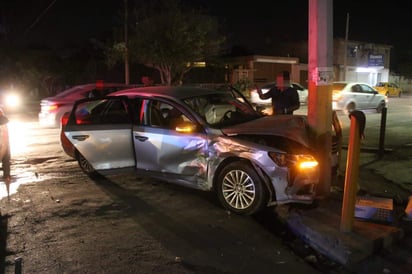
(320, 228)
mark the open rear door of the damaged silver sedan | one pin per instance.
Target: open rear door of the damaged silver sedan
(101, 131)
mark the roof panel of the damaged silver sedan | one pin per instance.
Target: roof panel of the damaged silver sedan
(178, 92)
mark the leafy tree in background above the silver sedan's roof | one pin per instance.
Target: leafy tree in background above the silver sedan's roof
(170, 39)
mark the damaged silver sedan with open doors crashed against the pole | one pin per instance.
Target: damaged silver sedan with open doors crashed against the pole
(204, 139)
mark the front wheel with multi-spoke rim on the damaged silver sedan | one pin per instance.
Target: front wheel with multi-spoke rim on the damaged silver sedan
(240, 189)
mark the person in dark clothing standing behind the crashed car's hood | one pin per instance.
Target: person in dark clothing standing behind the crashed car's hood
(285, 98)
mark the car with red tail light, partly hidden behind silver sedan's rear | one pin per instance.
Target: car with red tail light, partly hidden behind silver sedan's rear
(53, 108)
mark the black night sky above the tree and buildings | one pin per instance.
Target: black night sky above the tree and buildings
(251, 23)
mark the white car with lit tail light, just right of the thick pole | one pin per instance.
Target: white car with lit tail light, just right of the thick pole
(350, 96)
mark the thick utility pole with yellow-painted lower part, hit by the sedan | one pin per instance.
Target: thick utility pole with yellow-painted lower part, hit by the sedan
(320, 84)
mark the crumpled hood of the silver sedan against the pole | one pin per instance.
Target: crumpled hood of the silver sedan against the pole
(294, 127)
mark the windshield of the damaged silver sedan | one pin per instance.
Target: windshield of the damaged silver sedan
(222, 109)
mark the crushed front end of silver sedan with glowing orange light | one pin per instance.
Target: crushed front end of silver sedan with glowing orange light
(280, 149)
